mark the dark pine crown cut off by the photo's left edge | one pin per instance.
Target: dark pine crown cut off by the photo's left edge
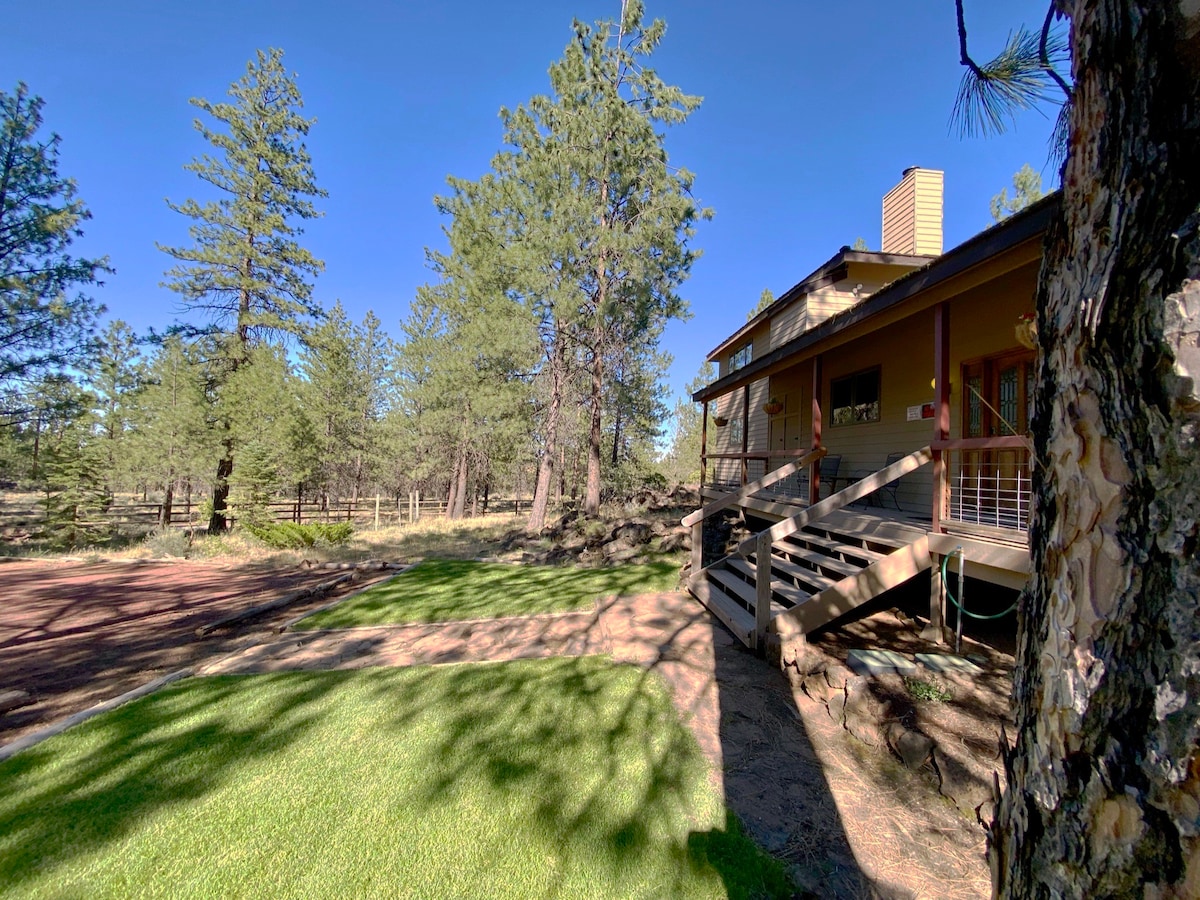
(44, 326)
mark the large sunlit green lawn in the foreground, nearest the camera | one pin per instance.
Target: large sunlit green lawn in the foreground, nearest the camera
(542, 778)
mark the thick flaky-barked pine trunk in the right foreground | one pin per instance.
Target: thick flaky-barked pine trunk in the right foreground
(1103, 794)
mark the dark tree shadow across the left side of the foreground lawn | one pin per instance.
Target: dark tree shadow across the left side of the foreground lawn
(160, 752)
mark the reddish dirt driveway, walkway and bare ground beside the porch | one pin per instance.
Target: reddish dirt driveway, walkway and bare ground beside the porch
(847, 817)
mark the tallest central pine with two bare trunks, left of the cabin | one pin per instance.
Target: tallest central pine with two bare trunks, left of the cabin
(604, 221)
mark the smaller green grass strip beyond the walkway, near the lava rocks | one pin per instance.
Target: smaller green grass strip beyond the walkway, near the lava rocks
(448, 591)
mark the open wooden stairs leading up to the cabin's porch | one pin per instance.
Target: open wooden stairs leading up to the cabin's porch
(818, 574)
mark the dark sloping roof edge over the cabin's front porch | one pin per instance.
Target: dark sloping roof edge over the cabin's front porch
(1015, 231)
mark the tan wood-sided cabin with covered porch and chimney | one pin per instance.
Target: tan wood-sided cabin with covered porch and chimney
(872, 423)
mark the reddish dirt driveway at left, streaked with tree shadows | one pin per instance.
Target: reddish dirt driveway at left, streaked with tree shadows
(76, 634)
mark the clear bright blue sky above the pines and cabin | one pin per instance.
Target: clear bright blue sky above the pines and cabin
(812, 111)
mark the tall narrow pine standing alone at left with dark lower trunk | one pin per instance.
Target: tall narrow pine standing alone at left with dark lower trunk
(245, 268)
